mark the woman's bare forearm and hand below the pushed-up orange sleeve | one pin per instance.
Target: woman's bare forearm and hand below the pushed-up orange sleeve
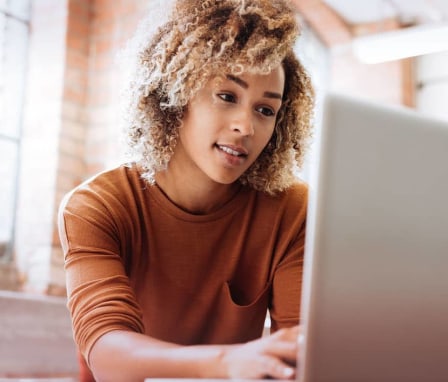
(122, 355)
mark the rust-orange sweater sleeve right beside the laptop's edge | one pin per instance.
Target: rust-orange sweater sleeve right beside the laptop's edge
(287, 280)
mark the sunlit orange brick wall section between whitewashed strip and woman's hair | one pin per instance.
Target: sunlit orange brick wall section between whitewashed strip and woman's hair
(90, 134)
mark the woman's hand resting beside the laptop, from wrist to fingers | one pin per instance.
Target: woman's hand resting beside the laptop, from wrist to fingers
(273, 356)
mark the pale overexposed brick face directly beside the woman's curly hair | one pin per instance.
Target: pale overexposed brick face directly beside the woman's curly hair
(112, 24)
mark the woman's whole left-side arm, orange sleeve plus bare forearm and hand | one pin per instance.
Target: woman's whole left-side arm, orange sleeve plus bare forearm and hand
(107, 321)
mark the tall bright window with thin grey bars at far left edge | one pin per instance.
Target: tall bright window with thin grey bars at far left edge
(14, 31)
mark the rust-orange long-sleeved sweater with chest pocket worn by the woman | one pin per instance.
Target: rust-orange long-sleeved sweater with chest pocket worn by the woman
(135, 261)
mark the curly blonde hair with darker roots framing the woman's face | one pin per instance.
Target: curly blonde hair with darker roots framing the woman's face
(200, 40)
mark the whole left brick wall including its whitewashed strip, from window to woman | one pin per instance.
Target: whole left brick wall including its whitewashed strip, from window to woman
(71, 121)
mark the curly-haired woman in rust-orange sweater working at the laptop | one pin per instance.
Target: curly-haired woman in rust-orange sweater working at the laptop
(173, 261)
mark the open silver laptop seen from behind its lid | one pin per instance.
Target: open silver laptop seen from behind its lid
(375, 295)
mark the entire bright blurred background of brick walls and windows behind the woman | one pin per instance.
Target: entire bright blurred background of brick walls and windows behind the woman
(60, 88)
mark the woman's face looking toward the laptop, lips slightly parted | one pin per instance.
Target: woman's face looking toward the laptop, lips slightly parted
(227, 125)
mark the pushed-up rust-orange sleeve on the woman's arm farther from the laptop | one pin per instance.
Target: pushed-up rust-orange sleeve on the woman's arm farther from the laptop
(100, 298)
